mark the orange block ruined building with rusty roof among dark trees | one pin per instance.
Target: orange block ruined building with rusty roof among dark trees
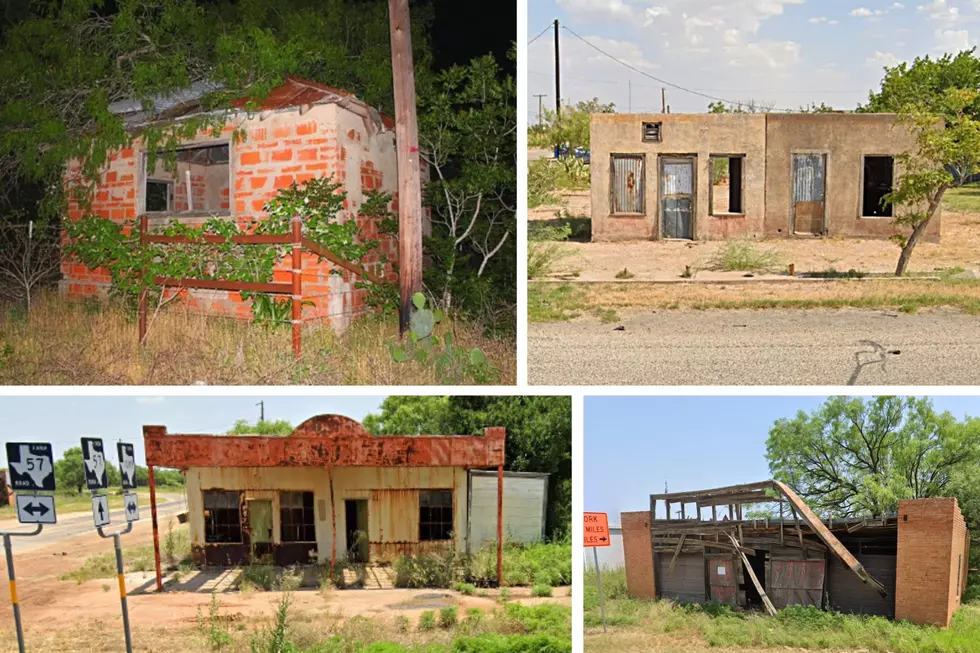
(301, 131)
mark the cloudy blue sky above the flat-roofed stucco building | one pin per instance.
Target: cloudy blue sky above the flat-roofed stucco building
(785, 52)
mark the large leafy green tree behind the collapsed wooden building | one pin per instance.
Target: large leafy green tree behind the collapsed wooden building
(854, 457)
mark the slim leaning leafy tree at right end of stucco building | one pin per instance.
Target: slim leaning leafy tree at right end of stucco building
(948, 136)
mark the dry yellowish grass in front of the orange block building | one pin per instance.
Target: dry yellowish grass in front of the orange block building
(68, 341)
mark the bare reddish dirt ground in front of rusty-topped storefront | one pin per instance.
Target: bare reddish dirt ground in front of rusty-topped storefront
(49, 603)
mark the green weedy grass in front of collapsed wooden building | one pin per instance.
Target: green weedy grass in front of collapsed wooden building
(638, 625)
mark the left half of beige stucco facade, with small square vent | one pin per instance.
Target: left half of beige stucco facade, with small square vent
(701, 135)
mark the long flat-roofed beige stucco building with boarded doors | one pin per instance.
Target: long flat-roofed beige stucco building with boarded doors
(714, 176)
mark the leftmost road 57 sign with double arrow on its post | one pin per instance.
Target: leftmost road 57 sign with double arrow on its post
(31, 467)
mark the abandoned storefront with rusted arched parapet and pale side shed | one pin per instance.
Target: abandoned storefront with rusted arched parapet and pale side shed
(313, 496)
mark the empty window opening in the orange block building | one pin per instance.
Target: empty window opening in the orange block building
(193, 180)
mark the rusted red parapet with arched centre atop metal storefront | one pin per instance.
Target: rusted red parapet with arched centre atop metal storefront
(324, 440)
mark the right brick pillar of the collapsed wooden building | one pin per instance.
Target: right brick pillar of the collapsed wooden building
(930, 562)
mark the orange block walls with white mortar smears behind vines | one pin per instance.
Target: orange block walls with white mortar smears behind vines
(278, 149)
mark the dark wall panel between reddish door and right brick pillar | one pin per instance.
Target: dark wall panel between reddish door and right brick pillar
(848, 593)
